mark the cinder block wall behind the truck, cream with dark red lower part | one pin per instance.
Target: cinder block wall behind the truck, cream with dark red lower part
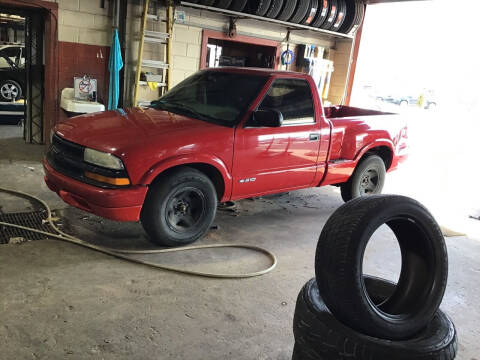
(85, 31)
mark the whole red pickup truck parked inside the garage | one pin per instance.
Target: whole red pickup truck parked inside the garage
(222, 134)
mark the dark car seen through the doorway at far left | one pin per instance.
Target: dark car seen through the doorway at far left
(12, 72)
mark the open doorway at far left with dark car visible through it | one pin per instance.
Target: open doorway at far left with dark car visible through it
(21, 75)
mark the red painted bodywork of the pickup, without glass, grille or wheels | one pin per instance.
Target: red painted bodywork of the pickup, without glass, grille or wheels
(252, 161)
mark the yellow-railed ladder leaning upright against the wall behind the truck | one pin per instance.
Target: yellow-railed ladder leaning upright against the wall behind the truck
(161, 67)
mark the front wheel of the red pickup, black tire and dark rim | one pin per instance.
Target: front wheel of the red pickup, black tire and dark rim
(179, 208)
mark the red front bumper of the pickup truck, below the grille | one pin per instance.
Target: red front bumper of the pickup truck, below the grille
(116, 204)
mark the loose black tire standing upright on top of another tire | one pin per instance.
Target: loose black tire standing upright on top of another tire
(423, 276)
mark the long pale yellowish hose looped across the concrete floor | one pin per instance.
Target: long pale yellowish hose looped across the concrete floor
(122, 254)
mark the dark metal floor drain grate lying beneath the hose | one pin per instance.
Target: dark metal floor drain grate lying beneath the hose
(31, 219)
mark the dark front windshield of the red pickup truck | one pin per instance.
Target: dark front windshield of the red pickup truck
(213, 96)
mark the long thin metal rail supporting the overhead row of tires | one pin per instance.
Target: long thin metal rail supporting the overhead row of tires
(289, 26)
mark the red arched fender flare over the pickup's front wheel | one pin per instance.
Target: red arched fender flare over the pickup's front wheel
(169, 163)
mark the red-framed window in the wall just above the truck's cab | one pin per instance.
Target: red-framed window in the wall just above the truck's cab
(241, 51)
